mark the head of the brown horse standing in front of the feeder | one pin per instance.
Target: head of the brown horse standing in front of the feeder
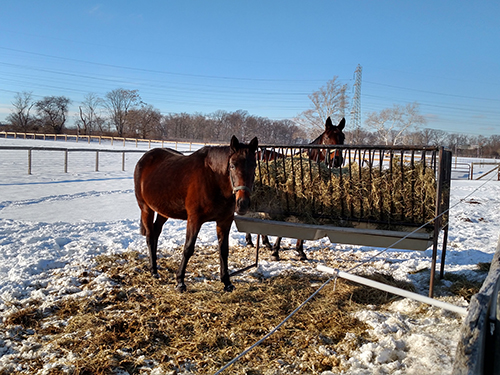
(242, 163)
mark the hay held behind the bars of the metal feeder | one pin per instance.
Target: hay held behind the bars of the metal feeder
(298, 189)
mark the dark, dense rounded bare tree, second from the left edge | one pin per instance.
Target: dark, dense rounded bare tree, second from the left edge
(52, 111)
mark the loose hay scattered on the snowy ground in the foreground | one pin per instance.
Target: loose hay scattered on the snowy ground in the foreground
(141, 322)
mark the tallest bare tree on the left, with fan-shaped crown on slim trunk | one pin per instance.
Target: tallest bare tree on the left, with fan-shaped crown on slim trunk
(119, 102)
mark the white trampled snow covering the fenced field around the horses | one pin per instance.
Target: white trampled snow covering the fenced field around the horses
(54, 223)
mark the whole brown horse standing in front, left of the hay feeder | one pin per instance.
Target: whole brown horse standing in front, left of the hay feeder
(208, 185)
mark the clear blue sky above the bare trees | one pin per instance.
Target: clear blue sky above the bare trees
(264, 57)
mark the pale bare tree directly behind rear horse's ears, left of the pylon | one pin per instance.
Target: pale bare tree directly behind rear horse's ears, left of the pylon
(330, 100)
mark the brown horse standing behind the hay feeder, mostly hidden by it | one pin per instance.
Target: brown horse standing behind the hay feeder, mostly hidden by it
(332, 135)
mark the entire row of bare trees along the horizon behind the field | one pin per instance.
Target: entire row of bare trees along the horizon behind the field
(122, 113)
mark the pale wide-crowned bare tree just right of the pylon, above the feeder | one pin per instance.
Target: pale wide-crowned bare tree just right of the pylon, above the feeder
(391, 124)
